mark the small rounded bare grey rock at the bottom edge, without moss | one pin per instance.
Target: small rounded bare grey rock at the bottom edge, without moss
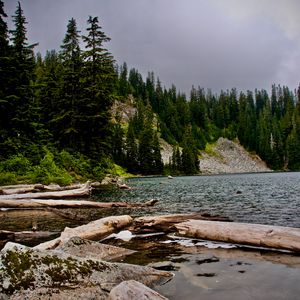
(131, 290)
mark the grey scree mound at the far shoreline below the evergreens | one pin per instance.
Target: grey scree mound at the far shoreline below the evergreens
(230, 157)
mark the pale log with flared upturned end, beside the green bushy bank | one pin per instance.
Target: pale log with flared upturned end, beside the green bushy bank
(83, 191)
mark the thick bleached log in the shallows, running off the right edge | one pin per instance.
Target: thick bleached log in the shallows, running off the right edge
(276, 237)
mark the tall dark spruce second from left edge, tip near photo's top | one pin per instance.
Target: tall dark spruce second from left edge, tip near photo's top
(21, 98)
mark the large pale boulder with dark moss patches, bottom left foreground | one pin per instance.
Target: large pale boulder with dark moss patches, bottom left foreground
(30, 274)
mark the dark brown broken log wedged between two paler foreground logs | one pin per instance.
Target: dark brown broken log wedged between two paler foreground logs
(166, 222)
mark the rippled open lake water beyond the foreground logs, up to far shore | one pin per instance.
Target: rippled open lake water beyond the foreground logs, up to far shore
(268, 198)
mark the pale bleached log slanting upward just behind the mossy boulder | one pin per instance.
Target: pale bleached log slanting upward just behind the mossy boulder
(95, 230)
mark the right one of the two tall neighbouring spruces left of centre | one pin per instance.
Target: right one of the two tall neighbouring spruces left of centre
(99, 82)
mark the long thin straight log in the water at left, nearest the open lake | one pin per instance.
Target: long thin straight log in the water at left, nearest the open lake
(40, 203)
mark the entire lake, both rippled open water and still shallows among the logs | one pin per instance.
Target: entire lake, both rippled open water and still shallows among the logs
(202, 270)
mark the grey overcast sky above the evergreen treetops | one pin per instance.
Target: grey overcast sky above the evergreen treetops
(217, 44)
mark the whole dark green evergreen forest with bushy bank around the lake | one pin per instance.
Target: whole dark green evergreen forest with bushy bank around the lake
(56, 120)
